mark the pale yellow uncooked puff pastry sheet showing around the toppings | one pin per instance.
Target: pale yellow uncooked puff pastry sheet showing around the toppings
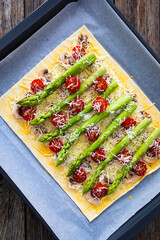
(41, 151)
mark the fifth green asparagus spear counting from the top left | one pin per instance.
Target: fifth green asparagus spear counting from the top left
(109, 130)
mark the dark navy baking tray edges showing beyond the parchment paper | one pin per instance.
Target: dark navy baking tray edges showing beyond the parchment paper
(21, 33)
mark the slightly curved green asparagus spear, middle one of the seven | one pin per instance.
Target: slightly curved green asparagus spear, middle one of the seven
(90, 122)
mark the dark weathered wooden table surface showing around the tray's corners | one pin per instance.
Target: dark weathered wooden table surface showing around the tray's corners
(17, 222)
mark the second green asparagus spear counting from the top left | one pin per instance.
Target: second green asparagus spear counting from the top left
(84, 86)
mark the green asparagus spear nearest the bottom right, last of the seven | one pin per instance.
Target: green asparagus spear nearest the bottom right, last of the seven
(135, 159)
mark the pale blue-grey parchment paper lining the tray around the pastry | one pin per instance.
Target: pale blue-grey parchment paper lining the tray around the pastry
(56, 208)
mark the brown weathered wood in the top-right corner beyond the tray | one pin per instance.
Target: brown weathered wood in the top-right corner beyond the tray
(144, 15)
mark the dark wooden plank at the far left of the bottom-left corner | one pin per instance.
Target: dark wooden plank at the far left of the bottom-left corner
(12, 213)
